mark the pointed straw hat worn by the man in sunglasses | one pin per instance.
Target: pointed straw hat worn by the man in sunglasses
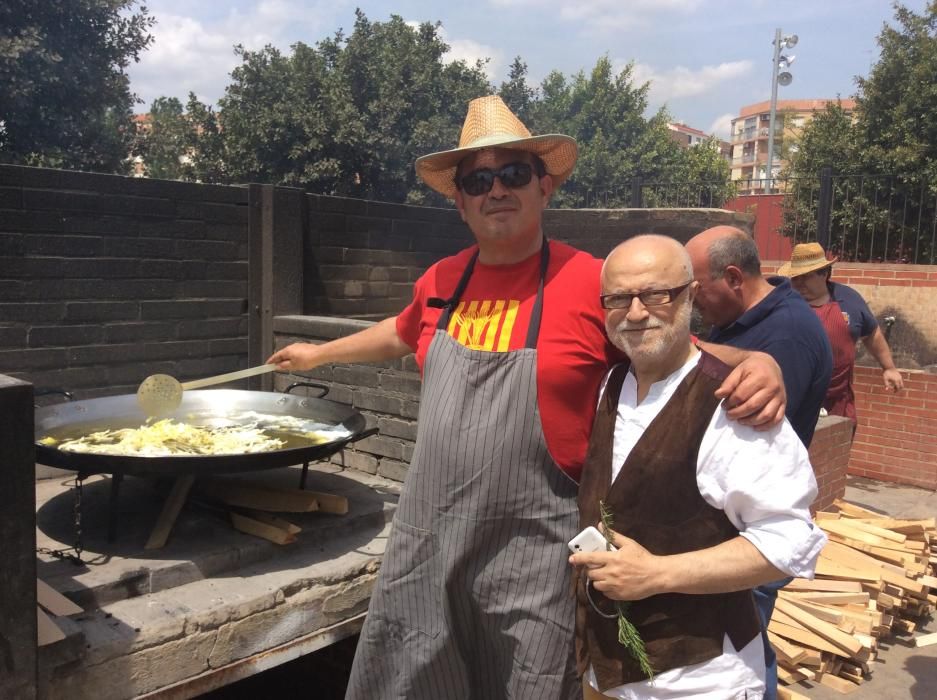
(490, 124)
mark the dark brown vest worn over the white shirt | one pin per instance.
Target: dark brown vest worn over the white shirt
(655, 500)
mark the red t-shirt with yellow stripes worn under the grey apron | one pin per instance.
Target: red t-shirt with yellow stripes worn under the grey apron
(573, 352)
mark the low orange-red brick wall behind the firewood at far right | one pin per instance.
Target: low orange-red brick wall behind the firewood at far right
(896, 439)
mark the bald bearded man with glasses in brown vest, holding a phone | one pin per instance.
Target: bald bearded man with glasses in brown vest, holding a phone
(702, 508)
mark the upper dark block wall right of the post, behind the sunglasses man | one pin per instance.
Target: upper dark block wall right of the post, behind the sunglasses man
(362, 258)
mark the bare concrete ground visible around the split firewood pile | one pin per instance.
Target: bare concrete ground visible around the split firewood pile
(901, 671)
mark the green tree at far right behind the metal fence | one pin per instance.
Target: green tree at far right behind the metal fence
(884, 162)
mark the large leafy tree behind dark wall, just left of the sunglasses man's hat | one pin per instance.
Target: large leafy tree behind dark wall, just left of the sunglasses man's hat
(350, 115)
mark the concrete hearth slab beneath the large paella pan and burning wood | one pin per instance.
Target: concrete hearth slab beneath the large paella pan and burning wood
(213, 599)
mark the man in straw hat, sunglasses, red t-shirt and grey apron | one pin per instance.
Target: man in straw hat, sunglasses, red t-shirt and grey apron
(473, 598)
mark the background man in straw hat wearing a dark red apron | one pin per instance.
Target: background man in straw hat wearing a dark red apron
(846, 318)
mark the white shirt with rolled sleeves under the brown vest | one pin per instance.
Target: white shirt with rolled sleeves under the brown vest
(764, 482)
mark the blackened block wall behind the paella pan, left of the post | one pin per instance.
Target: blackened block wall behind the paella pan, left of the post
(106, 279)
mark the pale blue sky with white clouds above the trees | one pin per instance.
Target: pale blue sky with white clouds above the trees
(705, 58)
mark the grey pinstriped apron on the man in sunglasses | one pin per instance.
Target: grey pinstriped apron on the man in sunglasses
(473, 598)
